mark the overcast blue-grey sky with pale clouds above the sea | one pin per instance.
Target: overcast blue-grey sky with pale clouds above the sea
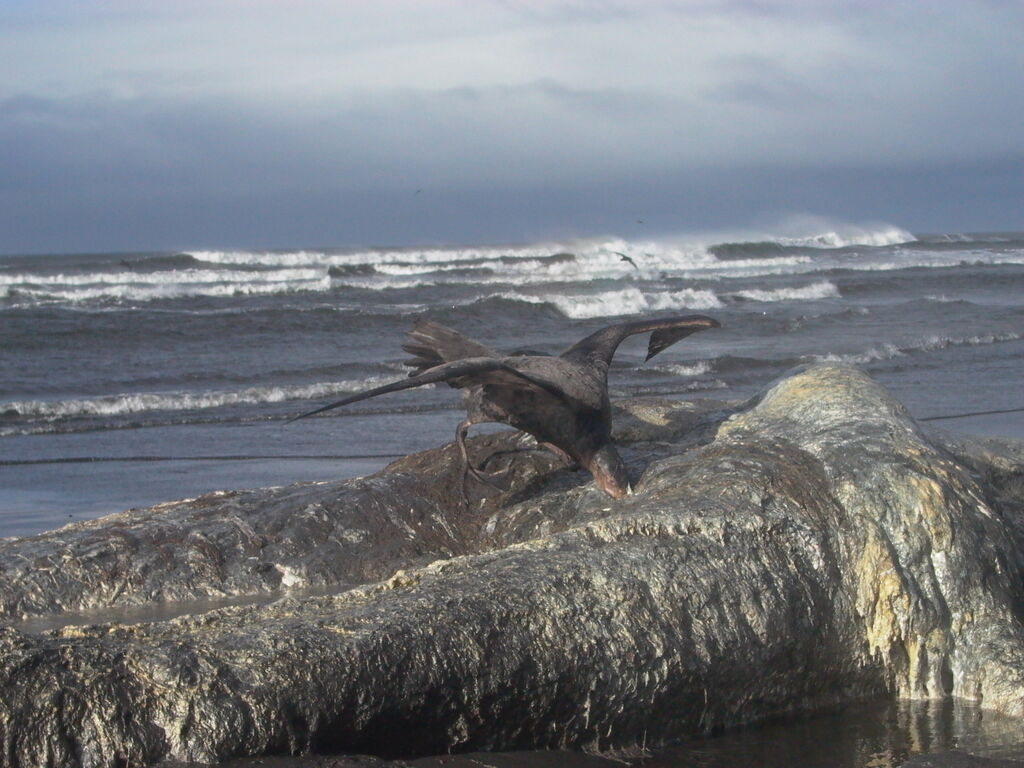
(134, 124)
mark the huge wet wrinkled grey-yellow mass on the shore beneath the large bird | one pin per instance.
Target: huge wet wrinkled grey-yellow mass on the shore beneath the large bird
(812, 547)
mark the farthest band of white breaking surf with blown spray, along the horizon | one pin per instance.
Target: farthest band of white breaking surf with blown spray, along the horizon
(688, 258)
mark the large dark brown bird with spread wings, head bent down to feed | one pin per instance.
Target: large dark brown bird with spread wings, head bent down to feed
(563, 402)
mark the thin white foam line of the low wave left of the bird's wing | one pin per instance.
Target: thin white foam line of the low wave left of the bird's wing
(134, 403)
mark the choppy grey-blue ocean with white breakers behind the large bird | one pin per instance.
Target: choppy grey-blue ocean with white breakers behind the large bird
(131, 379)
